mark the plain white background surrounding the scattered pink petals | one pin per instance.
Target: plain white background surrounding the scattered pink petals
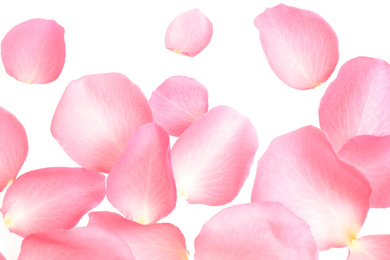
(128, 37)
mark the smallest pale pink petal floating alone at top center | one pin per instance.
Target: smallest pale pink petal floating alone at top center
(189, 33)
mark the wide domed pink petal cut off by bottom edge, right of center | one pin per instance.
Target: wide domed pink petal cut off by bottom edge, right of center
(256, 231)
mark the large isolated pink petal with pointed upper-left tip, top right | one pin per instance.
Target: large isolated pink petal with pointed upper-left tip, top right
(300, 46)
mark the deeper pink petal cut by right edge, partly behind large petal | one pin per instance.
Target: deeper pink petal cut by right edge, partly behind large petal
(371, 155)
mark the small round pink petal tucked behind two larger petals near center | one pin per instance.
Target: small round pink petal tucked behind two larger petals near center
(178, 103)
